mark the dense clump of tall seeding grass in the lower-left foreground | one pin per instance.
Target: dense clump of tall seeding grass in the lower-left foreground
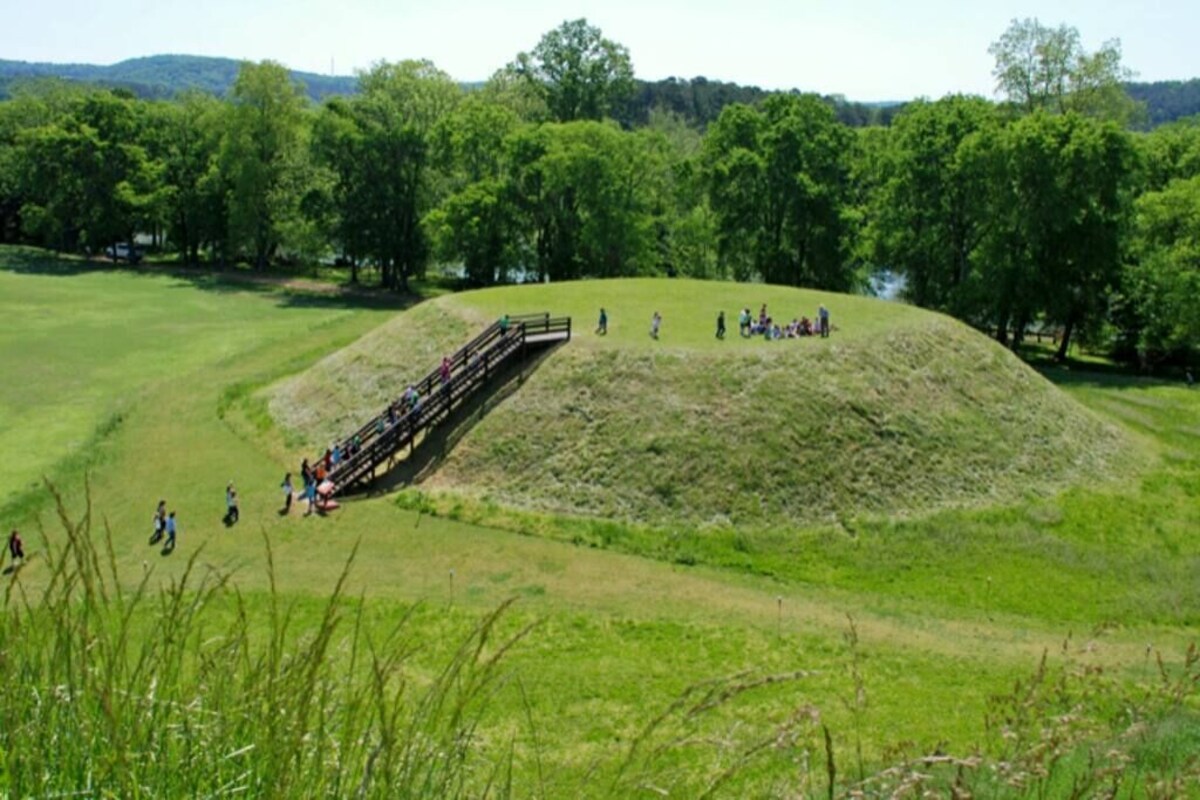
(152, 693)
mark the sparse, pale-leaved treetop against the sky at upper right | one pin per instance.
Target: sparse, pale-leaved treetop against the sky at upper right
(1041, 68)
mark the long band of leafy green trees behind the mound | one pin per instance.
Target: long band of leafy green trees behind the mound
(1045, 210)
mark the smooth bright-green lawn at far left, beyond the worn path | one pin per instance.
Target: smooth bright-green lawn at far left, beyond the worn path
(85, 347)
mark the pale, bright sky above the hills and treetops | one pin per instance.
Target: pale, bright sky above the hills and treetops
(863, 50)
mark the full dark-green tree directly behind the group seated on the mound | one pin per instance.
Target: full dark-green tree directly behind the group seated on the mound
(778, 181)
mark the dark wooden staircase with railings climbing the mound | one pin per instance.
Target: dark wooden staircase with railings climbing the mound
(472, 369)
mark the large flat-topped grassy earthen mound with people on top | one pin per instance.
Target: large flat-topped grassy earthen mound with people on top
(899, 412)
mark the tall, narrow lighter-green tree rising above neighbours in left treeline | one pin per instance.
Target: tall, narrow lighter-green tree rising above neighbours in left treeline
(262, 151)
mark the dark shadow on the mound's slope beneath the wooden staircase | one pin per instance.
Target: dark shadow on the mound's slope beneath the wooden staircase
(425, 459)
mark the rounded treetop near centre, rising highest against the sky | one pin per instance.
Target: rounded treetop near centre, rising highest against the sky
(578, 73)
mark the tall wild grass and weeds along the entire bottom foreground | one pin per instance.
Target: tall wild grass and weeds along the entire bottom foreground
(118, 689)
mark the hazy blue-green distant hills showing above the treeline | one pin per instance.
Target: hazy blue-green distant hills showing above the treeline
(698, 100)
